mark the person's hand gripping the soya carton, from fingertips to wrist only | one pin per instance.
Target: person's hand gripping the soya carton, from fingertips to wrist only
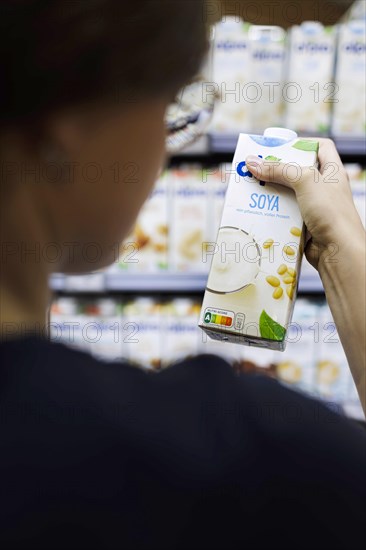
(325, 200)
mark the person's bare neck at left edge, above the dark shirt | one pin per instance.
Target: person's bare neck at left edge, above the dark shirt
(24, 270)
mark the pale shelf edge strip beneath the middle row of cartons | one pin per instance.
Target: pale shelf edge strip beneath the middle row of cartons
(153, 282)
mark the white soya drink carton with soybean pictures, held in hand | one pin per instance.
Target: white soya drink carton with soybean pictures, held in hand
(256, 260)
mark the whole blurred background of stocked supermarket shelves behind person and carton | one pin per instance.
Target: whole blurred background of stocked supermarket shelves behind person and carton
(300, 65)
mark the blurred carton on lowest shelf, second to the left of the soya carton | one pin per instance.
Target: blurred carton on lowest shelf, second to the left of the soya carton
(142, 333)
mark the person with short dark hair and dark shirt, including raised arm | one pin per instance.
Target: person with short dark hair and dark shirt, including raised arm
(100, 455)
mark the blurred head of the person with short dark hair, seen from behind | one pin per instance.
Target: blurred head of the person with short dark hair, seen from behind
(83, 94)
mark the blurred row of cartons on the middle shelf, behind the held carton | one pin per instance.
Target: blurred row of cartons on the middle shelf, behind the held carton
(177, 228)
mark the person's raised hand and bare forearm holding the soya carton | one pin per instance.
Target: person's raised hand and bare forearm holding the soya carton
(332, 222)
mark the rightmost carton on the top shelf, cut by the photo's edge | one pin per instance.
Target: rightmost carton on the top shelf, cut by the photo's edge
(349, 112)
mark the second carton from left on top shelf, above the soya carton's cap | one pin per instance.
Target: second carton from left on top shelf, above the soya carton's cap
(267, 64)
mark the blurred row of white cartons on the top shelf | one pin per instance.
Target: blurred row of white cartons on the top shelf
(310, 79)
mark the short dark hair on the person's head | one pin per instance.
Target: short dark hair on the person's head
(57, 53)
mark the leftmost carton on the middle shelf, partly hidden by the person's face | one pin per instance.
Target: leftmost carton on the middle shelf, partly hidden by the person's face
(145, 250)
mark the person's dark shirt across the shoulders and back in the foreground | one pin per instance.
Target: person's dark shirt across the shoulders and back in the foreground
(98, 455)
